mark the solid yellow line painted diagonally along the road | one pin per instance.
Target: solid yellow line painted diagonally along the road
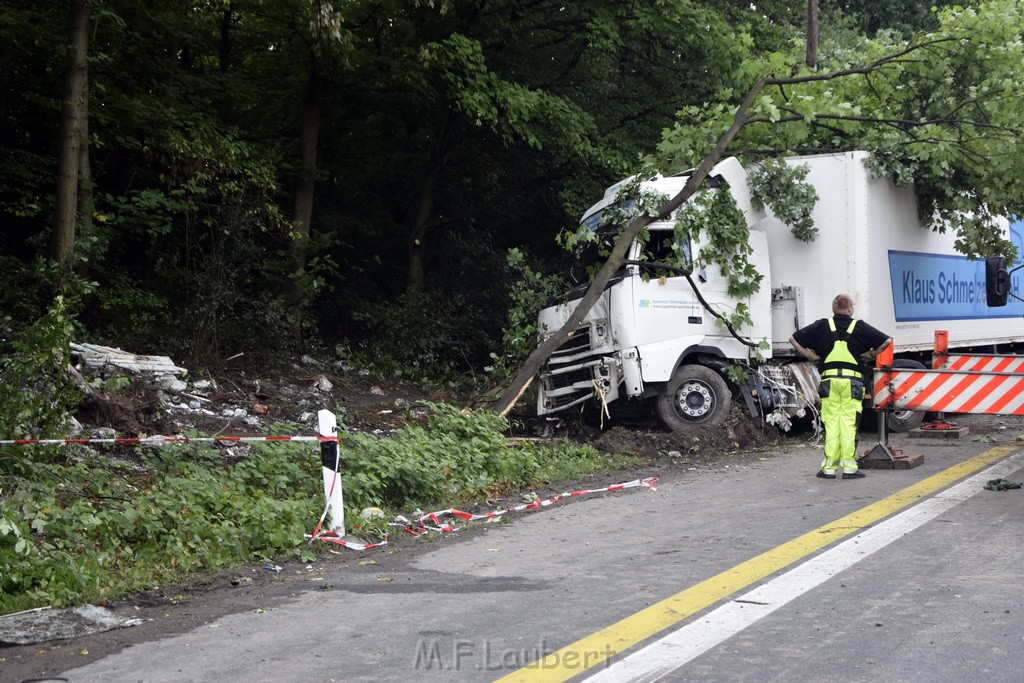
(602, 646)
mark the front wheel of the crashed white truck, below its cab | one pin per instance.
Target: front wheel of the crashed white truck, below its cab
(696, 397)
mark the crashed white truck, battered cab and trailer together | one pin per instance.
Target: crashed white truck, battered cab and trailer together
(652, 340)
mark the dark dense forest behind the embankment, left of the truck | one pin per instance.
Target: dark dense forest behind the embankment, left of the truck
(379, 180)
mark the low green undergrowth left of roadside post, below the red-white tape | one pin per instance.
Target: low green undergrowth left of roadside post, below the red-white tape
(80, 532)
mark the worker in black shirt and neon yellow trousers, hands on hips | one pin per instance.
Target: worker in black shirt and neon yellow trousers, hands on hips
(840, 345)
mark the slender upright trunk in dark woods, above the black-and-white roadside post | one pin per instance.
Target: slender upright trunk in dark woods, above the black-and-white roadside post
(306, 187)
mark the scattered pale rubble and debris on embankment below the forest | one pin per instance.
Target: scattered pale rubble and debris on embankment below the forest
(163, 398)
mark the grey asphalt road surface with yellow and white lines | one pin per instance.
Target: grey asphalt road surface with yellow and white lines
(906, 576)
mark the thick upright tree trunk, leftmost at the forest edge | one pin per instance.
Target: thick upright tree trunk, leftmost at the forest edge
(73, 114)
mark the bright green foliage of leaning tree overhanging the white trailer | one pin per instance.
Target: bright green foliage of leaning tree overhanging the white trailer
(941, 111)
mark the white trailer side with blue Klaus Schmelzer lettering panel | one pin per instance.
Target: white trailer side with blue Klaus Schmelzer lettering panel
(906, 278)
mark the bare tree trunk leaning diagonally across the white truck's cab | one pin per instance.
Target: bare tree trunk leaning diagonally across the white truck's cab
(617, 260)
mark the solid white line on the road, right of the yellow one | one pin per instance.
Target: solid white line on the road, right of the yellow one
(672, 652)
